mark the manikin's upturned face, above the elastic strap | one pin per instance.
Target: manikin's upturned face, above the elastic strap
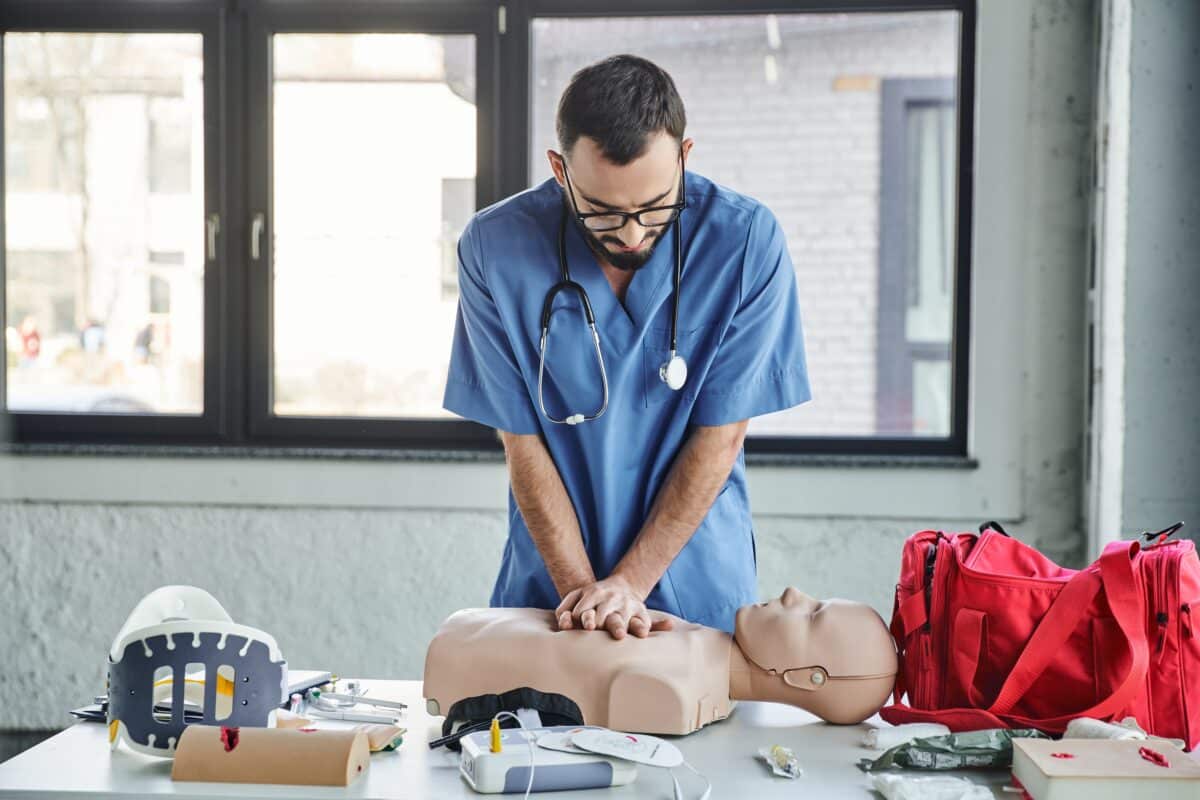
(797, 630)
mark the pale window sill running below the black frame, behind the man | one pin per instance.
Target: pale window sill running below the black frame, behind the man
(921, 489)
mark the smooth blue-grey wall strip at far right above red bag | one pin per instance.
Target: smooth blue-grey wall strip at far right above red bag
(1162, 377)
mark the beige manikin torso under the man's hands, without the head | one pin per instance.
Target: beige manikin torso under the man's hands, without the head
(671, 682)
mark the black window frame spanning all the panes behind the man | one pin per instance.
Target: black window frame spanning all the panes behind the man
(238, 294)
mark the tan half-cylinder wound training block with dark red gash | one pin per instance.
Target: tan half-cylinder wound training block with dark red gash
(271, 756)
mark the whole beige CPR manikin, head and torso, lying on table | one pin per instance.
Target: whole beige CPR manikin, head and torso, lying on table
(833, 658)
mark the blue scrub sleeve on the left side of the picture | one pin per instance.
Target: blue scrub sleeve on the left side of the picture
(484, 382)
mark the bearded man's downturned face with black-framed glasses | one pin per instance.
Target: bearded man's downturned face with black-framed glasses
(599, 185)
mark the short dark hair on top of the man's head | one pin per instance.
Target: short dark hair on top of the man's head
(620, 103)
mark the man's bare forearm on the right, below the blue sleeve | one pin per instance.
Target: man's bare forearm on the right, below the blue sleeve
(693, 484)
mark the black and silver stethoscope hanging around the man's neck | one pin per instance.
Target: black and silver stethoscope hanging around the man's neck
(674, 372)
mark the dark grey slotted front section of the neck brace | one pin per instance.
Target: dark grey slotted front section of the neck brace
(260, 684)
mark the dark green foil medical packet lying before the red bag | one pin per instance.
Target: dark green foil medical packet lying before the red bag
(976, 749)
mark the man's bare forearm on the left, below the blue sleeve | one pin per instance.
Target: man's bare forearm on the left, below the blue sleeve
(548, 512)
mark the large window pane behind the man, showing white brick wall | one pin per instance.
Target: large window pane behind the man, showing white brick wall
(787, 107)
